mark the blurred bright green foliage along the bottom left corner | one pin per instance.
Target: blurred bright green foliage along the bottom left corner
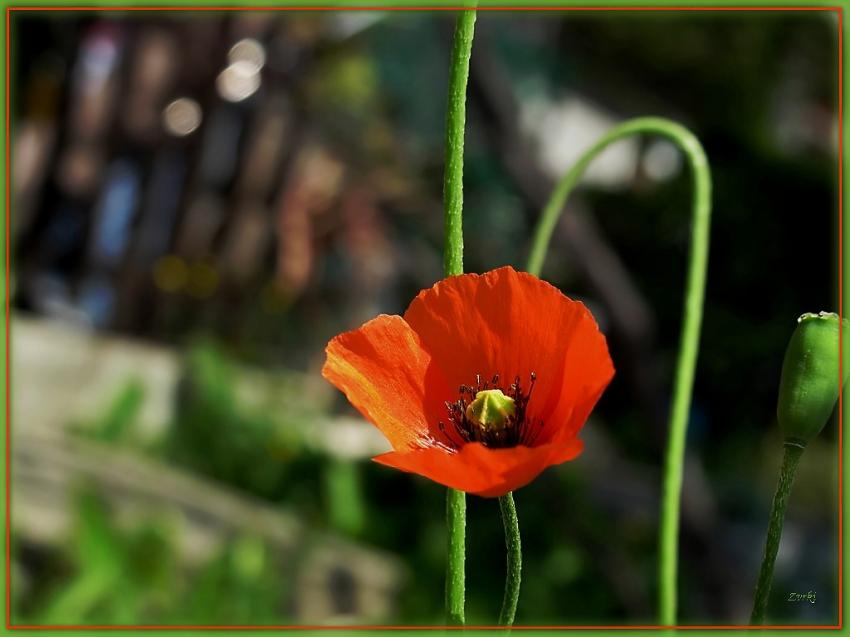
(131, 576)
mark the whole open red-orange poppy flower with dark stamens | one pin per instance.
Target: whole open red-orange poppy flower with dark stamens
(483, 384)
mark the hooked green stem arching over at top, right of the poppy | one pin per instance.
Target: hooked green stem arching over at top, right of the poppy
(689, 339)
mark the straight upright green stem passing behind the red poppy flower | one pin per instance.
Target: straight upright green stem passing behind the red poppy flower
(453, 264)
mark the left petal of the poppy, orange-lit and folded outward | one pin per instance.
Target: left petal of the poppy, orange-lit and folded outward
(385, 373)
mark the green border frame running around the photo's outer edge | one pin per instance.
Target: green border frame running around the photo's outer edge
(838, 249)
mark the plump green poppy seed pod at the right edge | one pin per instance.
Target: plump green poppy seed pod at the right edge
(809, 386)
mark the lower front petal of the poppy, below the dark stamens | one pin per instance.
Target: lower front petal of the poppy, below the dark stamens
(480, 470)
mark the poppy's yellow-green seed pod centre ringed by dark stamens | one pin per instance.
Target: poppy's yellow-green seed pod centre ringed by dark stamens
(488, 414)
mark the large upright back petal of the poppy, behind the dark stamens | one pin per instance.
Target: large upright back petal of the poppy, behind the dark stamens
(513, 323)
